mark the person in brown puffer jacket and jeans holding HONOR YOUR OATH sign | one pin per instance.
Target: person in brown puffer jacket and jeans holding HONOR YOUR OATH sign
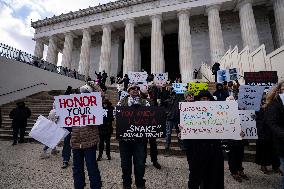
(84, 141)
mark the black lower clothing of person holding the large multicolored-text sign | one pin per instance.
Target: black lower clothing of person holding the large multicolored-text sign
(206, 166)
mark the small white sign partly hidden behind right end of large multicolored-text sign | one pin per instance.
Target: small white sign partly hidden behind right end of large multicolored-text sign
(248, 124)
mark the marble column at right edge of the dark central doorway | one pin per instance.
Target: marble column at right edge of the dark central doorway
(185, 47)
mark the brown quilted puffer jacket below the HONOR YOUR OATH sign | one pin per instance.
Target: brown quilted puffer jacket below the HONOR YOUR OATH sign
(84, 137)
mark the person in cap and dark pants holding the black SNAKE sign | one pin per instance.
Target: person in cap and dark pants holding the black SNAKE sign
(133, 150)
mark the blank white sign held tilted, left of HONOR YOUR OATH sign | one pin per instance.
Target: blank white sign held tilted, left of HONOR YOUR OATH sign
(47, 132)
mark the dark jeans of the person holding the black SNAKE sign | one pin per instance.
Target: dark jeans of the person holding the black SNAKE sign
(132, 150)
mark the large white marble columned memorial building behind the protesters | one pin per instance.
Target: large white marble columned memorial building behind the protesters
(158, 36)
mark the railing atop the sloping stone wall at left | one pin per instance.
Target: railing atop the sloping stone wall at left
(21, 56)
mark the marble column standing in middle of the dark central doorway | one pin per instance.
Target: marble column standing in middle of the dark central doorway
(157, 58)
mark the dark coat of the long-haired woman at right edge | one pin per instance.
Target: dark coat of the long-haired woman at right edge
(275, 119)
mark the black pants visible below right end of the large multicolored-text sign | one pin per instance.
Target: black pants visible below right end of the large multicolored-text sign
(235, 157)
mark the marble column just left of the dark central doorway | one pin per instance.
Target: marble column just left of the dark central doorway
(128, 59)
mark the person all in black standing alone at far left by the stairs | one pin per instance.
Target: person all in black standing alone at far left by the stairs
(20, 114)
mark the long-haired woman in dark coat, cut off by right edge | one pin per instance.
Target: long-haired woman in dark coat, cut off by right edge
(275, 120)
